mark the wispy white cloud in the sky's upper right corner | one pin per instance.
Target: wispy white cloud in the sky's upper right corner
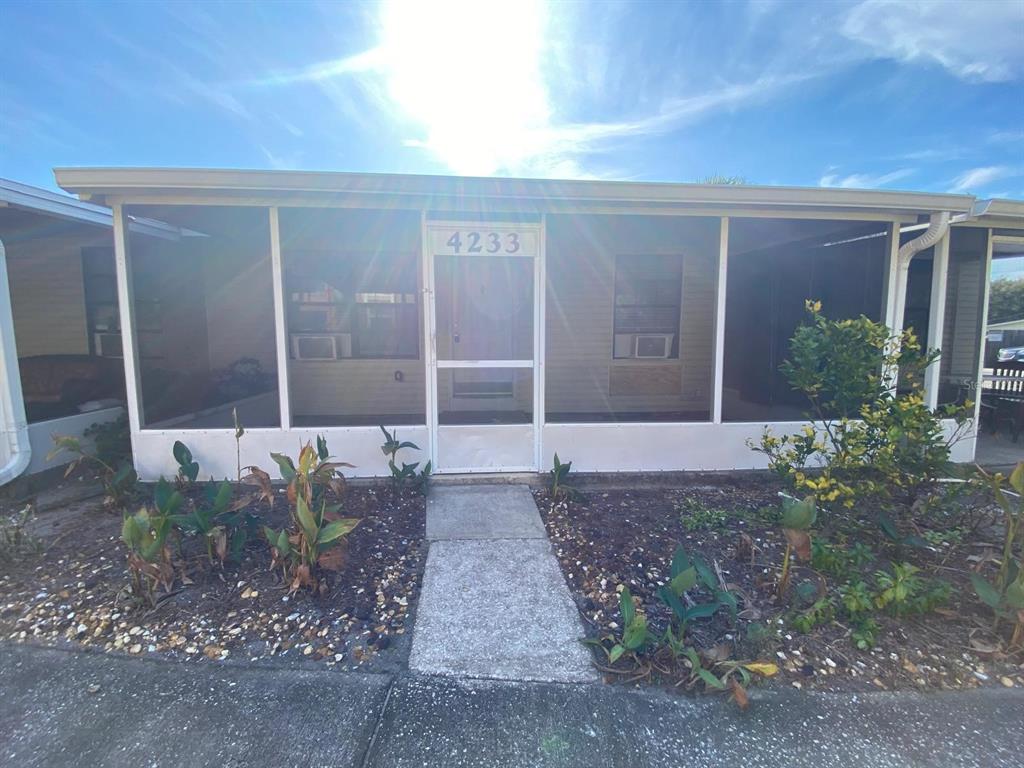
(977, 41)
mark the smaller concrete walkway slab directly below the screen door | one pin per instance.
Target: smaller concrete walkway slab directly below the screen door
(483, 513)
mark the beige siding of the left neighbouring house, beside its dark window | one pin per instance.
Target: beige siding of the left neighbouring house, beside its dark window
(48, 293)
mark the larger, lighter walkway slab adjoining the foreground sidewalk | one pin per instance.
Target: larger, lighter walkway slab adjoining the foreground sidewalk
(498, 610)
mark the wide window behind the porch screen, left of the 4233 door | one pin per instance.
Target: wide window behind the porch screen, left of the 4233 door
(368, 306)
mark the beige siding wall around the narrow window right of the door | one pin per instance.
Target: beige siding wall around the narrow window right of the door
(581, 265)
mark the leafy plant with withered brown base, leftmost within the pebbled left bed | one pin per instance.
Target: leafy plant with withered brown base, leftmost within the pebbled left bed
(146, 534)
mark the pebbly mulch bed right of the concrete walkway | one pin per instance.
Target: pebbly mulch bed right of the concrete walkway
(614, 538)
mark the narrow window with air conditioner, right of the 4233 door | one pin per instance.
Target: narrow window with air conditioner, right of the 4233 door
(649, 291)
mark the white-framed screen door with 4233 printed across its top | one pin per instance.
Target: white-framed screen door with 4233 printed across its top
(484, 346)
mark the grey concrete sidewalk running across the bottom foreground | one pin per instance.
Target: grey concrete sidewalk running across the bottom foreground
(73, 709)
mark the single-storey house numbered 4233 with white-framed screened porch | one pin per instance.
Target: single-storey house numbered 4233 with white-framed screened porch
(628, 327)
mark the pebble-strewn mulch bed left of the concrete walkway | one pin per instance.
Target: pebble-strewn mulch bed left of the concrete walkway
(74, 592)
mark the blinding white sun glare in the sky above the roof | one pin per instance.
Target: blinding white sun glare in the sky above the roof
(471, 73)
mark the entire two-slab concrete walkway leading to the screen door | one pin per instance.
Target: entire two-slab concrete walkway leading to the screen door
(494, 603)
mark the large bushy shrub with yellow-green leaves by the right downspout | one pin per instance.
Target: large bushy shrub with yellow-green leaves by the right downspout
(872, 439)
